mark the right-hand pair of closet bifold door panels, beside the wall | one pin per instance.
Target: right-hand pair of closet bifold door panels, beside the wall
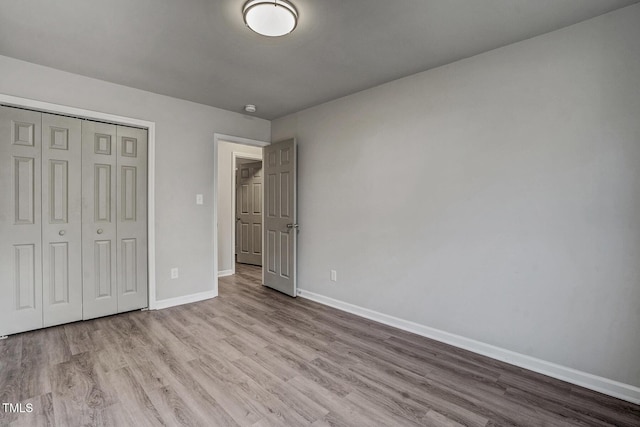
(114, 210)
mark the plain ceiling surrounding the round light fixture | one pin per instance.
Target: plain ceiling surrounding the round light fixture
(201, 51)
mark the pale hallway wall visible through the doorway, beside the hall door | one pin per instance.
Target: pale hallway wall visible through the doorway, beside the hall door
(226, 221)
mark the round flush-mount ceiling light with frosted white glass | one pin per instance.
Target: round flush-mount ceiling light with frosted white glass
(271, 18)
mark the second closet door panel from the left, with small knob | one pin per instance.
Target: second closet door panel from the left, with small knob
(61, 219)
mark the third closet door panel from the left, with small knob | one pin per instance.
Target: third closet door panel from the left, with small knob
(99, 220)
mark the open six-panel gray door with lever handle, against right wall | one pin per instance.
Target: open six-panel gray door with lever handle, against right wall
(280, 227)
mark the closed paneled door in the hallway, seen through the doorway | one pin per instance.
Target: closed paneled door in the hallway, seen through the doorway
(249, 213)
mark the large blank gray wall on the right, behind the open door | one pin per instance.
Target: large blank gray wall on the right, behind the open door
(496, 198)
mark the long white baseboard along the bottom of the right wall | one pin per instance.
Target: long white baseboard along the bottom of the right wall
(606, 386)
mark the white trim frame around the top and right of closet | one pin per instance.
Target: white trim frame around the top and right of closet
(47, 107)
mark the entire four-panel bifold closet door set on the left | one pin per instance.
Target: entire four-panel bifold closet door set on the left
(73, 229)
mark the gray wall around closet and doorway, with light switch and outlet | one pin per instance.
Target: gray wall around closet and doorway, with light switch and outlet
(184, 160)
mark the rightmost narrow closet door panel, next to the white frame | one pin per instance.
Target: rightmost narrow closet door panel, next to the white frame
(131, 218)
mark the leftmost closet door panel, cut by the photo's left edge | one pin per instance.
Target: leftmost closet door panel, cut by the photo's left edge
(20, 221)
